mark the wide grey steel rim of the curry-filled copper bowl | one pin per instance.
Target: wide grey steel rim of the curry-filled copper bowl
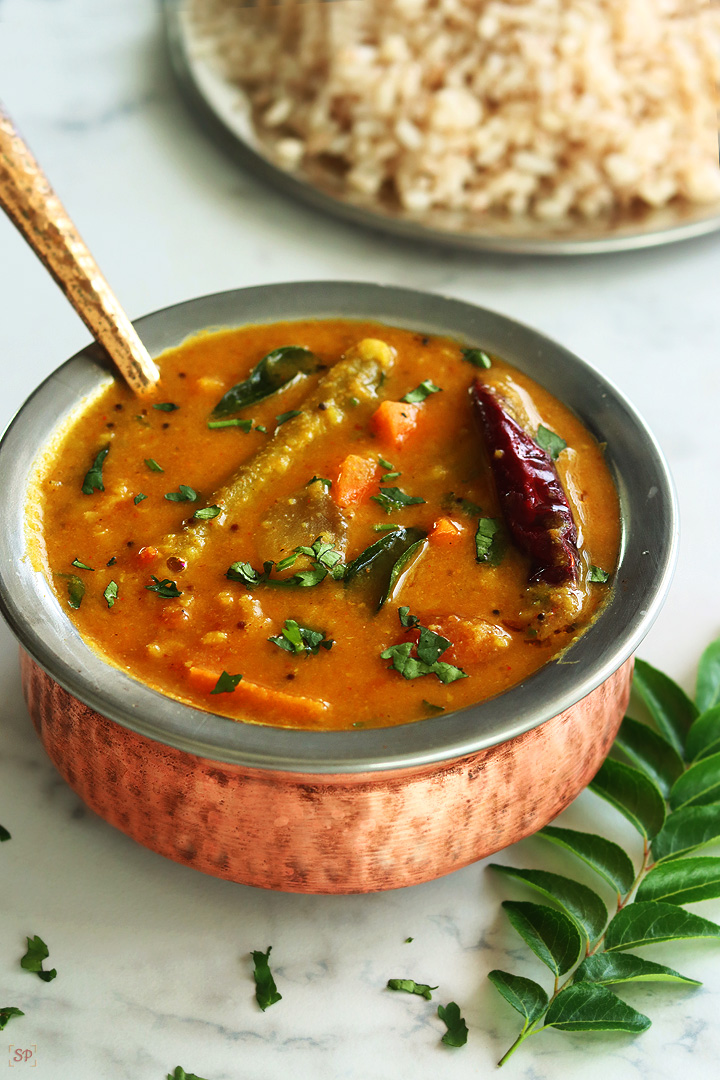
(648, 555)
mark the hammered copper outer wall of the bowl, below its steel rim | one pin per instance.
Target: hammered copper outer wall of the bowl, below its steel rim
(341, 833)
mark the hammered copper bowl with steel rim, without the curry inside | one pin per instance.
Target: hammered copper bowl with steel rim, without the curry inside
(351, 812)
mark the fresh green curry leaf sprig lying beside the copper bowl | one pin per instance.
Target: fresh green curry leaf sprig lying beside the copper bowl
(671, 794)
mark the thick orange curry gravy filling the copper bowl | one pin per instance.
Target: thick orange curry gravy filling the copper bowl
(500, 629)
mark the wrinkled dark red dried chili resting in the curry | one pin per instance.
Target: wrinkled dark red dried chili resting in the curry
(533, 499)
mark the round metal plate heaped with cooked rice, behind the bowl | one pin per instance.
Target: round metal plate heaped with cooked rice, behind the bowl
(535, 127)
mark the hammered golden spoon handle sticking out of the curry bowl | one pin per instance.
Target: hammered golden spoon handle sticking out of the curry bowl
(32, 205)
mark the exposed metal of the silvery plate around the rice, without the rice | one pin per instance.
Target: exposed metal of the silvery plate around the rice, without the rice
(225, 112)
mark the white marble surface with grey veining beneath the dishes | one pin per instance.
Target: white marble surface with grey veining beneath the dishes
(153, 957)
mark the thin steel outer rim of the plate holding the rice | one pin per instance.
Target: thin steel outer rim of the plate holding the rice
(667, 227)
